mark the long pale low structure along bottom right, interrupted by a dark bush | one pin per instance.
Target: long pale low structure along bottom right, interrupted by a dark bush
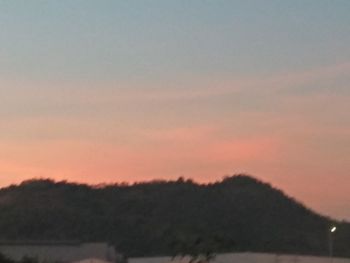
(247, 258)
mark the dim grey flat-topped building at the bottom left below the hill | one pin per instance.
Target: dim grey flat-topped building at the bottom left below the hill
(63, 252)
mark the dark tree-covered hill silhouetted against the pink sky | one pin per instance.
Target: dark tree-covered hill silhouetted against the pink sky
(239, 213)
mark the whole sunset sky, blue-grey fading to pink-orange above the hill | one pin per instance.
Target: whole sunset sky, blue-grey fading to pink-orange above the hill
(123, 91)
